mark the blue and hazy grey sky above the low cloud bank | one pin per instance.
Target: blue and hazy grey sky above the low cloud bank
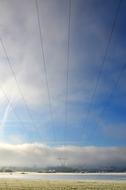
(29, 117)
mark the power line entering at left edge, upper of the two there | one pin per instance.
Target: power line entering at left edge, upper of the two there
(18, 87)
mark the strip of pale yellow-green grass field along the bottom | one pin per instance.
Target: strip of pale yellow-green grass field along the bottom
(60, 185)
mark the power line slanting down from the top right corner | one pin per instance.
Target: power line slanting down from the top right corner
(103, 63)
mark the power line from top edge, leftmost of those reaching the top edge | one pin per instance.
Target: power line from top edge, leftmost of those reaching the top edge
(44, 64)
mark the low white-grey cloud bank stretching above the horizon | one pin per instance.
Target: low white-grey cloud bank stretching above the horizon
(75, 156)
